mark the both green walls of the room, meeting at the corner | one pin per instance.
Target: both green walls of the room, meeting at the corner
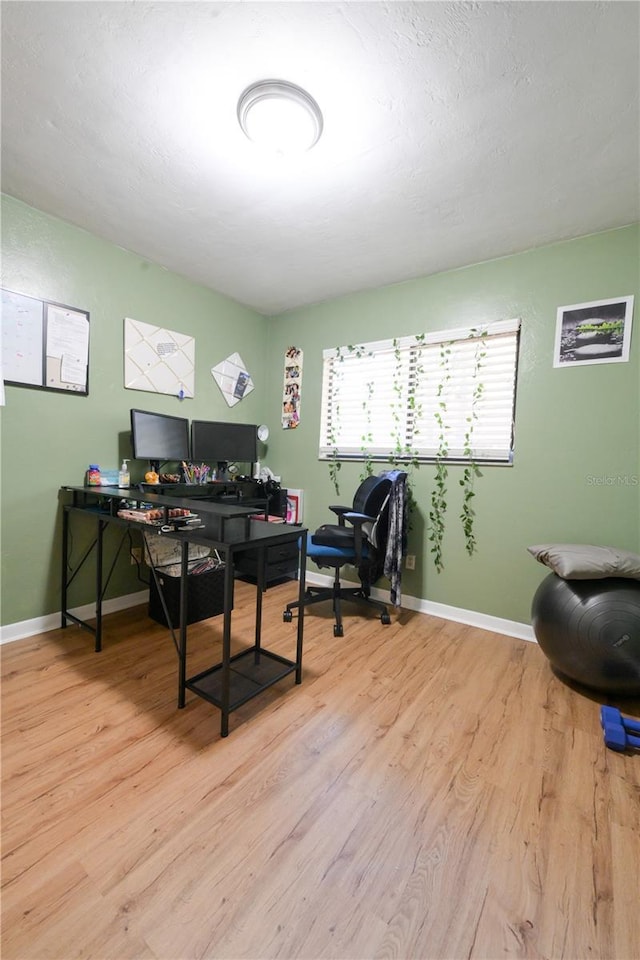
(575, 476)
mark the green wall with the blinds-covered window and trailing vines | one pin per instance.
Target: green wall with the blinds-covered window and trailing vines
(576, 472)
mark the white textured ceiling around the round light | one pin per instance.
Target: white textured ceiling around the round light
(454, 133)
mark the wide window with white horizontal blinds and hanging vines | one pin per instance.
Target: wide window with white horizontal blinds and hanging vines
(450, 393)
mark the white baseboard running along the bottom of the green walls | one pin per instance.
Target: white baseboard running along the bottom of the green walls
(511, 628)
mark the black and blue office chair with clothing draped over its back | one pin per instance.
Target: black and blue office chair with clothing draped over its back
(374, 542)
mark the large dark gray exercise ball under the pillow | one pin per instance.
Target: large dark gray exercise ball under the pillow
(590, 631)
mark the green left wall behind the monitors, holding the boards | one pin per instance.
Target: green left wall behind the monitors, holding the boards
(48, 439)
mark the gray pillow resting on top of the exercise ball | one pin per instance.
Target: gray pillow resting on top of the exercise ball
(581, 561)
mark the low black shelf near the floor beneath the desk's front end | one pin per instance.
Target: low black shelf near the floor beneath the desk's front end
(250, 672)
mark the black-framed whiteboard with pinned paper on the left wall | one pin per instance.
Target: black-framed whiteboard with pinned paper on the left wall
(44, 344)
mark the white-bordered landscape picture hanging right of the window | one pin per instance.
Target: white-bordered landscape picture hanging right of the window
(595, 332)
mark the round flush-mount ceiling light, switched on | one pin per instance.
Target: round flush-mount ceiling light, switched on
(280, 116)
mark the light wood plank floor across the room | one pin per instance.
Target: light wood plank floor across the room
(429, 791)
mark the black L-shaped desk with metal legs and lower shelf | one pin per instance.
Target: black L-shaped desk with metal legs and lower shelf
(227, 528)
